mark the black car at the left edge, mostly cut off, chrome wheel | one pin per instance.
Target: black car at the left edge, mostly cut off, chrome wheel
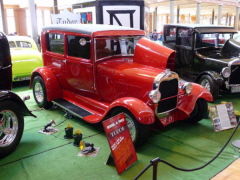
(12, 107)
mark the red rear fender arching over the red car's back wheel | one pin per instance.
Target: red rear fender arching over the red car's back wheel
(54, 91)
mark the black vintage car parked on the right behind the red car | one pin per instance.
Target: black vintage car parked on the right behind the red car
(207, 55)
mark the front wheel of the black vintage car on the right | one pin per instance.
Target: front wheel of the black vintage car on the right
(208, 82)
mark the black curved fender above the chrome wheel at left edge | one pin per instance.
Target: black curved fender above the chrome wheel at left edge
(9, 95)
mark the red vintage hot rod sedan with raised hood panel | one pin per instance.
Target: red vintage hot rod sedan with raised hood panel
(97, 71)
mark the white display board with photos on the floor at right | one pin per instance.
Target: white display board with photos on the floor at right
(223, 116)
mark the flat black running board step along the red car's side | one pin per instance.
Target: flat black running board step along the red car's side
(72, 108)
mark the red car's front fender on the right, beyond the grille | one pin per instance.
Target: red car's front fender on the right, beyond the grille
(187, 103)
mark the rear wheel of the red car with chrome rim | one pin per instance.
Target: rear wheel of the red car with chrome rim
(40, 93)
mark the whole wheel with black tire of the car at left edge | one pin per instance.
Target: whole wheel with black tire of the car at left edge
(11, 127)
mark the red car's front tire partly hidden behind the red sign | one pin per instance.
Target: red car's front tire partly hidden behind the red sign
(139, 132)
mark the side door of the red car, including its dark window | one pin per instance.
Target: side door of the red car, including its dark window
(79, 65)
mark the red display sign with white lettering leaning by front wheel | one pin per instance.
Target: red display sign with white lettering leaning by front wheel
(120, 142)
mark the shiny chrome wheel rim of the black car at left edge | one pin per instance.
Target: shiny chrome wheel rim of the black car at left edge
(8, 127)
